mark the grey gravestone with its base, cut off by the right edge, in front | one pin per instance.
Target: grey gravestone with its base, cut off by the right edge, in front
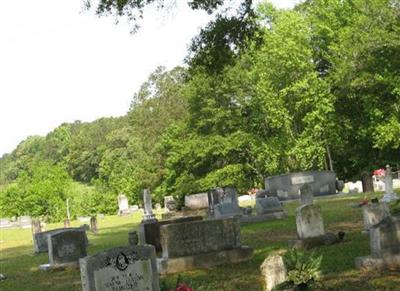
(384, 245)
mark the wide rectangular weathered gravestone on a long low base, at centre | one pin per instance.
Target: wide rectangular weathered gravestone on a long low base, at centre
(201, 244)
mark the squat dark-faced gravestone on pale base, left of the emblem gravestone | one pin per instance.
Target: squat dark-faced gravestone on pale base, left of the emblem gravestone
(65, 248)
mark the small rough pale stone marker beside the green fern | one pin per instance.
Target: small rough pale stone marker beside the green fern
(273, 271)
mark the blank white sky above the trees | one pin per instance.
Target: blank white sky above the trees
(60, 65)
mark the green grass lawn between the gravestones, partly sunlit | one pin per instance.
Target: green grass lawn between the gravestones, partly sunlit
(20, 265)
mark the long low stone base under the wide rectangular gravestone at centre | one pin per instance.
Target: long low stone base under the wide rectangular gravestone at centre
(201, 261)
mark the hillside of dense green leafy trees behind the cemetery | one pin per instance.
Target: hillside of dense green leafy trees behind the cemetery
(314, 87)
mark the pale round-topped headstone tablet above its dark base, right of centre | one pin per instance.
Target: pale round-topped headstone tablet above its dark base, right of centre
(309, 221)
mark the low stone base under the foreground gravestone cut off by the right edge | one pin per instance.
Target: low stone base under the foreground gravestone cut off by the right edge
(378, 264)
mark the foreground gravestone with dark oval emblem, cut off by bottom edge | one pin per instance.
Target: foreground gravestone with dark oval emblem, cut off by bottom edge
(124, 268)
